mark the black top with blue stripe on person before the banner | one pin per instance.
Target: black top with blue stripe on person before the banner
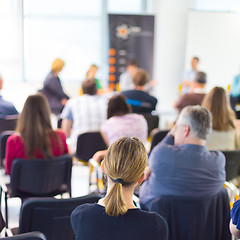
(141, 102)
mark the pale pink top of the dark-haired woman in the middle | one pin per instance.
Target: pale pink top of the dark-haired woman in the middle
(128, 125)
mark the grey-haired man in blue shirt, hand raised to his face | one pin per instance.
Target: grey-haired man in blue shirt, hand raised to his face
(180, 165)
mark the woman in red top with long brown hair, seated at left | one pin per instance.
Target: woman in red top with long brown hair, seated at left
(34, 137)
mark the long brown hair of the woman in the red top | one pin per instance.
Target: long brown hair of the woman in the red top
(34, 125)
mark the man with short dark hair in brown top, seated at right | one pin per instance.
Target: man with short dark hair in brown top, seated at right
(196, 96)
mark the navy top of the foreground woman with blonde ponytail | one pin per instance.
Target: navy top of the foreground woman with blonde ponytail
(89, 221)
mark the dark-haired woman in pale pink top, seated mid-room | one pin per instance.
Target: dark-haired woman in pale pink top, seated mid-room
(122, 123)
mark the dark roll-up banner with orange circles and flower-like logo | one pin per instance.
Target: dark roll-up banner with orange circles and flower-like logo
(130, 38)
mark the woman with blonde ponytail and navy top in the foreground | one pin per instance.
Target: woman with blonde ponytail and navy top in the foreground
(115, 216)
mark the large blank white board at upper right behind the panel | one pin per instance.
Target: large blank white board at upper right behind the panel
(215, 38)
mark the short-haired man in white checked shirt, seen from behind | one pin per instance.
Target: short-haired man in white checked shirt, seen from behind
(84, 113)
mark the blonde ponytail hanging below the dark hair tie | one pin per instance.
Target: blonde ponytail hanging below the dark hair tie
(114, 201)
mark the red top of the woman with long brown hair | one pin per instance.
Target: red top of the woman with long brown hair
(15, 148)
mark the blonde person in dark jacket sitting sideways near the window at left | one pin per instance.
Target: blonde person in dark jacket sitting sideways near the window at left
(52, 88)
